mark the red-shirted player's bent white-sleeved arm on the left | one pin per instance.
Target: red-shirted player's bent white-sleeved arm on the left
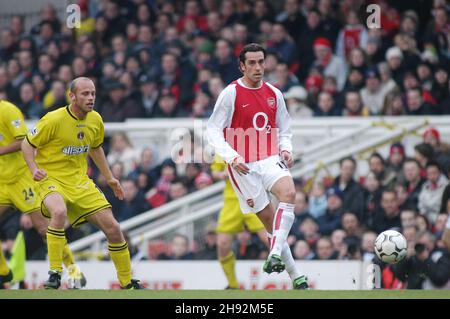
(220, 119)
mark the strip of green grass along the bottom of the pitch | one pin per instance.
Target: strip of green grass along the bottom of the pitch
(224, 294)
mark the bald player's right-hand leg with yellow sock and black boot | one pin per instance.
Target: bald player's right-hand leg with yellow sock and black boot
(117, 246)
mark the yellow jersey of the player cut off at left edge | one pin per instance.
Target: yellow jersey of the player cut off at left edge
(12, 127)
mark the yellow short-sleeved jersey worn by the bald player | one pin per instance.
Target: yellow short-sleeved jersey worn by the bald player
(63, 142)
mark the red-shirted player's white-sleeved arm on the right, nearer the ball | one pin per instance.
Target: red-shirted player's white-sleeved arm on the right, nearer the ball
(284, 131)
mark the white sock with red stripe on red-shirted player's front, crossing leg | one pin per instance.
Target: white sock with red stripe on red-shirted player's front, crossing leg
(282, 223)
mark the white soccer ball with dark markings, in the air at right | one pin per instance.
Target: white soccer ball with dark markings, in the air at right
(390, 246)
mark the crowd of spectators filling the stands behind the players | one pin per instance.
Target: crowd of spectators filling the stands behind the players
(167, 59)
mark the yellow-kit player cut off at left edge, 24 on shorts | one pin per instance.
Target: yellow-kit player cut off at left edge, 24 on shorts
(18, 190)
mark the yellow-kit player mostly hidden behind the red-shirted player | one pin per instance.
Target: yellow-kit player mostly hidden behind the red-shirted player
(231, 221)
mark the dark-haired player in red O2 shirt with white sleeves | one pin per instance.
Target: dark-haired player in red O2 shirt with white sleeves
(250, 130)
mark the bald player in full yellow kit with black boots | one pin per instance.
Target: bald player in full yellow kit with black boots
(63, 139)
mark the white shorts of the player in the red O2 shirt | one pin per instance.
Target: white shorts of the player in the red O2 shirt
(256, 184)
